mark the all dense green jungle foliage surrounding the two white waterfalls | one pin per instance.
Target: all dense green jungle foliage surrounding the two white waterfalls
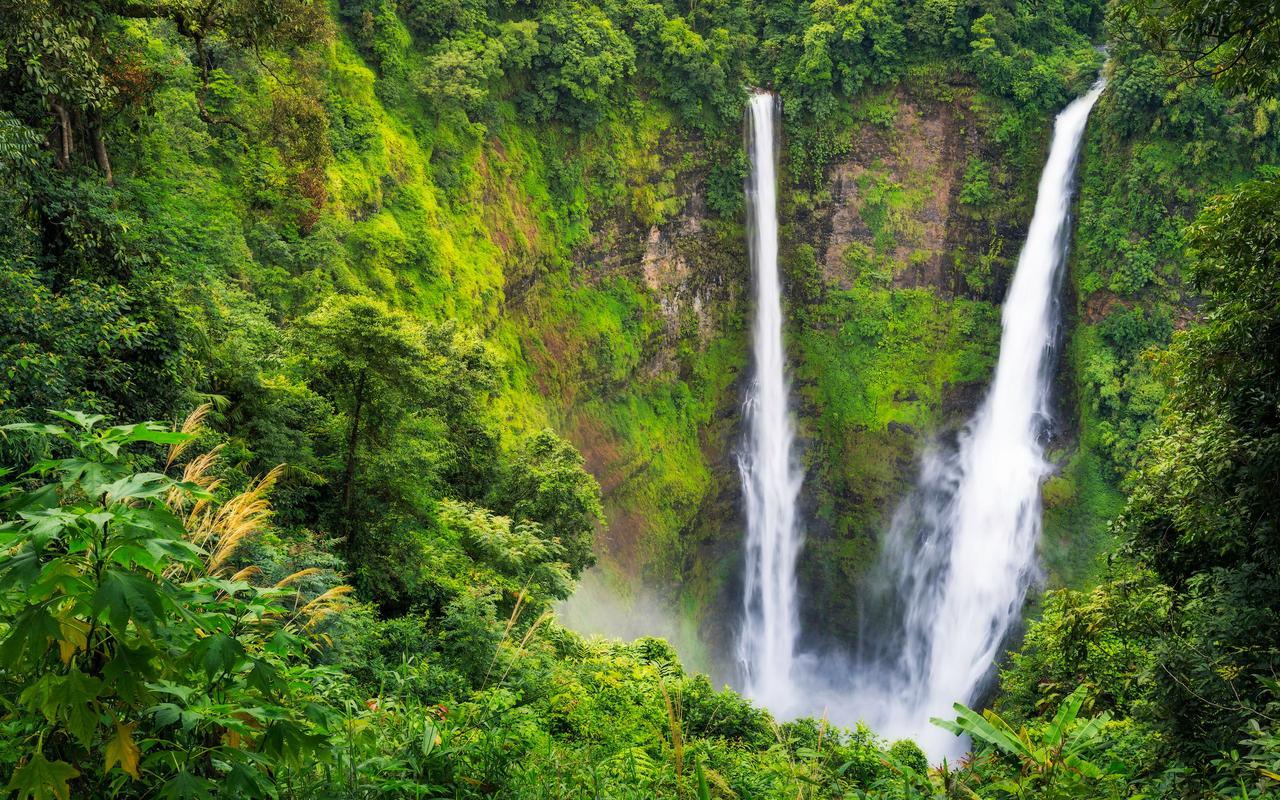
(313, 319)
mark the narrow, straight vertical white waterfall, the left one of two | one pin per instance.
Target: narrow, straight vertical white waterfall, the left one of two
(771, 478)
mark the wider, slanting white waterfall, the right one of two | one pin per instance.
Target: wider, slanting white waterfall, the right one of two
(962, 551)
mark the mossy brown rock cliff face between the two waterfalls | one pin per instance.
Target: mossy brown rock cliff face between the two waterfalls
(897, 275)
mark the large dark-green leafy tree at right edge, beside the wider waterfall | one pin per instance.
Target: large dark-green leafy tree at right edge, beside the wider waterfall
(1205, 495)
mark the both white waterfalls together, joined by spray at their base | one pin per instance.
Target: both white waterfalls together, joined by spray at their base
(961, 555)
